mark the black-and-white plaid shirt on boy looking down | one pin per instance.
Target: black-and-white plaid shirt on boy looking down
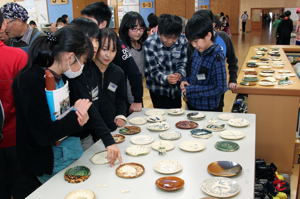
(162, 61)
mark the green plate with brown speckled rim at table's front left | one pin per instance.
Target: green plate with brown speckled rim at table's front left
(77, 174)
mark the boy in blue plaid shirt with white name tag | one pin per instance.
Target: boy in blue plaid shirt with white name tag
(206, 74)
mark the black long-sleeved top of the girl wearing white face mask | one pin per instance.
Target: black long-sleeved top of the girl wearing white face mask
(36, 132)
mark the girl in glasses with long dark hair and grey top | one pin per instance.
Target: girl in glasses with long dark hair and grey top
(133, 34)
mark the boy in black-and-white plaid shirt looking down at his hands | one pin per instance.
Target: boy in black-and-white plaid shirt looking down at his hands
(166, 59)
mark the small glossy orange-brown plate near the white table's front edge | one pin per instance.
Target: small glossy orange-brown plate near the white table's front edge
(169, 183)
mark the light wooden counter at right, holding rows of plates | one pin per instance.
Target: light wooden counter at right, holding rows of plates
(276, 109)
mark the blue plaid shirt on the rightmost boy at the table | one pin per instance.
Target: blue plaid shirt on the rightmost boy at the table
(204, 94)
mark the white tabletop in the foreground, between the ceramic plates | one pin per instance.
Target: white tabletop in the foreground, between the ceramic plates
(106, 184)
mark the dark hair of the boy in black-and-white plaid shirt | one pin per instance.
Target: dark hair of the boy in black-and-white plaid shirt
(169, 25)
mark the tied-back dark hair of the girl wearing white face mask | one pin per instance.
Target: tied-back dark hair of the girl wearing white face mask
(46, 49)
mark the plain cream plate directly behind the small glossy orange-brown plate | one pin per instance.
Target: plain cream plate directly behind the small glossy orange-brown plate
(168, 167)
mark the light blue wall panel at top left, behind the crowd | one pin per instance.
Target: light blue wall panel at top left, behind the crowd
(56, 11)
